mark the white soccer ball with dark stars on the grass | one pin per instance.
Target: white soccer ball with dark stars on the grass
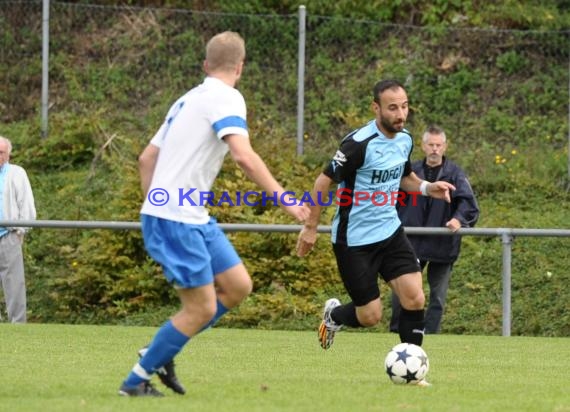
(406, 363)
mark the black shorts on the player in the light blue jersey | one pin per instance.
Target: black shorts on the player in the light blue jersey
(360, 266)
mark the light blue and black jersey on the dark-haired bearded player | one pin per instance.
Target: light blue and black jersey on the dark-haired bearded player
(368, 164)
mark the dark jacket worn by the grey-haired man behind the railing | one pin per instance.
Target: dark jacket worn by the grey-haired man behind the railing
(430, 212)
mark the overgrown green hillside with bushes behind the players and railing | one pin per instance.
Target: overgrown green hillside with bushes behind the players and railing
(494, 76)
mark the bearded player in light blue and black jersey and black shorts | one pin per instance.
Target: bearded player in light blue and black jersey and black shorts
(372, 163)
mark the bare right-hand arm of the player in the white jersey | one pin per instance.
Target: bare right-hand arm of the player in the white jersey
(256, 170)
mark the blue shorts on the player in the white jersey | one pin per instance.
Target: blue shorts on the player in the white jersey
(190, 255)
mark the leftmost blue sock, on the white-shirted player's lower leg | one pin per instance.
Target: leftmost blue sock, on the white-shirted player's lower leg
(166, 344)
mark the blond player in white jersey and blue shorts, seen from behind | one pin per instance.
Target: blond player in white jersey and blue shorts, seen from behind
(182, 160)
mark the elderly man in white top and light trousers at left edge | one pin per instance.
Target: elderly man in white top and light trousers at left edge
(16, 203)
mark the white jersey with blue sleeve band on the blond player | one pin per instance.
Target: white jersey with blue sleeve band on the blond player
(192, 149)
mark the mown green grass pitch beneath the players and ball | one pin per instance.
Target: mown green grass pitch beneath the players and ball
(79, 368)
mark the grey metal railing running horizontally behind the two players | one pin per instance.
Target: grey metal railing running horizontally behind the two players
(506, 234)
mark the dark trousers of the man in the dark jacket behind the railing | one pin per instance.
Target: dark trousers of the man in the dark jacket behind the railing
(438, 275)
